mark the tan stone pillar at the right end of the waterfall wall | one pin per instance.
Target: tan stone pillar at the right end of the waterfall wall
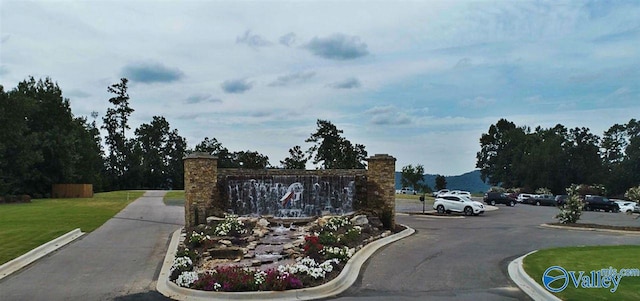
(381, 194)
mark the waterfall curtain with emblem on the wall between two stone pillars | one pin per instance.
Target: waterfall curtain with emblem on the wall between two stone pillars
(290, 196)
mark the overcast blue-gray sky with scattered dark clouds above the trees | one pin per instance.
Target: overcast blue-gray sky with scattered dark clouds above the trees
(420, 80)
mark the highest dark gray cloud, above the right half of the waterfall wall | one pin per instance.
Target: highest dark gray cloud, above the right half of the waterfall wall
(338, 47)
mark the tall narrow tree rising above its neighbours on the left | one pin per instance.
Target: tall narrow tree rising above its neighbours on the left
(115, 122)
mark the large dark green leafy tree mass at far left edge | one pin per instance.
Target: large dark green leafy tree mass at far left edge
(42, 142)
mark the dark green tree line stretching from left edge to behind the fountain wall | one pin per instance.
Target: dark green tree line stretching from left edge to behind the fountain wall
(43, 143)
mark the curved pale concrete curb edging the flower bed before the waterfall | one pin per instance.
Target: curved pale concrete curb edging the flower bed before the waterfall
(345, 279)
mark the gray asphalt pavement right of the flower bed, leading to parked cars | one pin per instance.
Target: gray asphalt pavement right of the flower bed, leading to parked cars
(466, 259)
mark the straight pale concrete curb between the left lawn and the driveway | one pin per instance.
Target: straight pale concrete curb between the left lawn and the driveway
(37, 253)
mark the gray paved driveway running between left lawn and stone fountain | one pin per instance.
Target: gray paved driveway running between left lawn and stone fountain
(118, 261)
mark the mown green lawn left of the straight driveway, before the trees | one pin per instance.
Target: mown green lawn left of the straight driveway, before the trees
(26, 226)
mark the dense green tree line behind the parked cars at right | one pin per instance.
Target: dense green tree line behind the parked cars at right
(517, 157)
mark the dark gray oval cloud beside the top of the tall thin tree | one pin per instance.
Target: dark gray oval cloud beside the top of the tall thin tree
(148, 72)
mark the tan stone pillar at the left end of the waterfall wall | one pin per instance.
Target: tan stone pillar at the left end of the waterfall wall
(200, 187)
